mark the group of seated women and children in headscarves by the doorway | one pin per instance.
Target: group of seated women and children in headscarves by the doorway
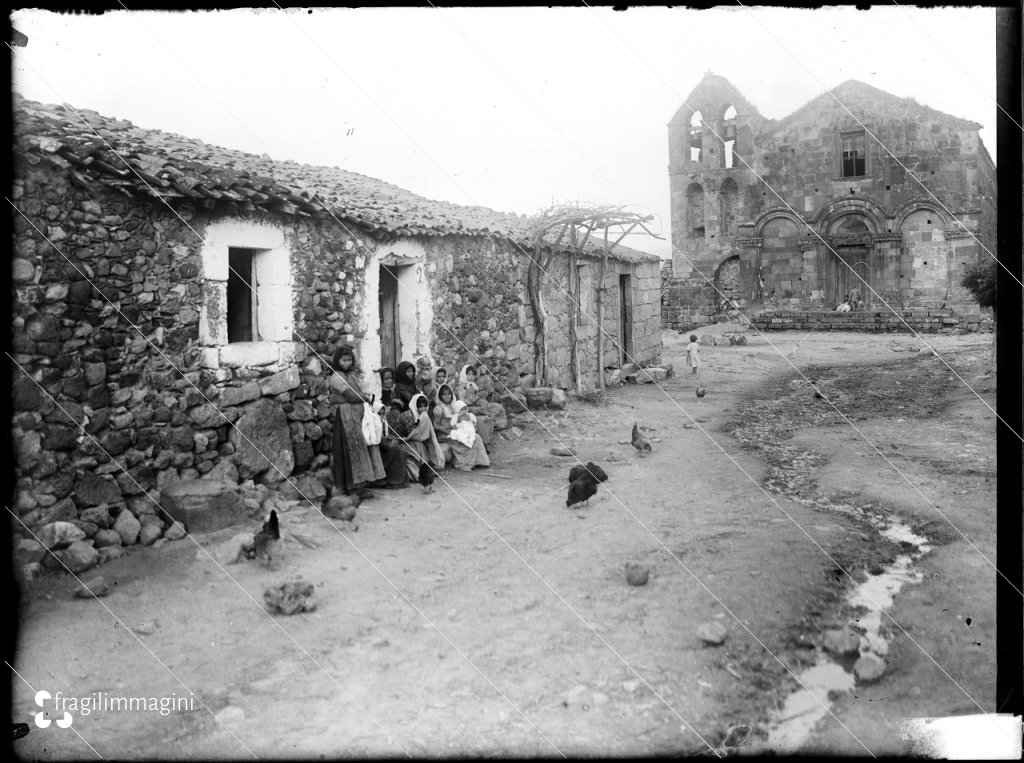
(437, 420)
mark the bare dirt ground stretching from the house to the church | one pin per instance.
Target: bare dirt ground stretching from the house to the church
(488, 619)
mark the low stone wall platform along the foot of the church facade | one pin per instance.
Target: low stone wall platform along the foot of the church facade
(925, 322)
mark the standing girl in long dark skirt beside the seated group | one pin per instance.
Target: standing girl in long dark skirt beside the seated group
(356, 464)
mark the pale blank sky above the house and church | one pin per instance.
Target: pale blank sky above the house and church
(509, 109)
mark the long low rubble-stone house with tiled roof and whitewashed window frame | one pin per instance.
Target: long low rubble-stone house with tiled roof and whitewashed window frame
(169, 295)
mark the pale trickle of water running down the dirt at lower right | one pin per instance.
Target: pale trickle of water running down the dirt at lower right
(824, 683)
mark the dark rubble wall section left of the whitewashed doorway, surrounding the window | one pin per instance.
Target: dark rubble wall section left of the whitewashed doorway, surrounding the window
(106, 335)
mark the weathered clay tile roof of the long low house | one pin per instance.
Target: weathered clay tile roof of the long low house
(117, 154)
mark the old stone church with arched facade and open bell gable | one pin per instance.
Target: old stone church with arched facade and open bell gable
(798, 214)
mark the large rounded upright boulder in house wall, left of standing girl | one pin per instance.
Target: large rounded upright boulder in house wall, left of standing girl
(263, 442)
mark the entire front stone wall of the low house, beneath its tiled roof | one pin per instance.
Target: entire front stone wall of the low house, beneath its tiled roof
(119, 328)
